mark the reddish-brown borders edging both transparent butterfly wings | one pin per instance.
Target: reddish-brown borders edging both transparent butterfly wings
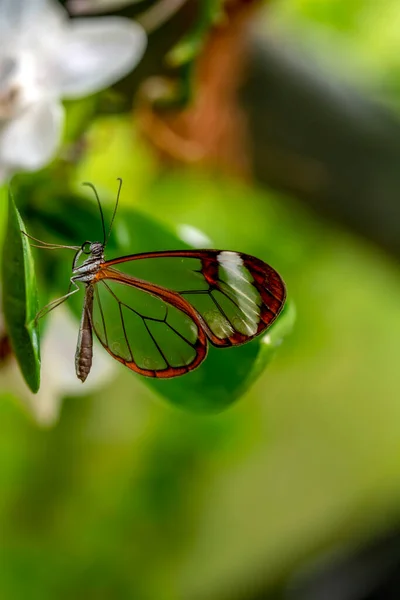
(266, 280)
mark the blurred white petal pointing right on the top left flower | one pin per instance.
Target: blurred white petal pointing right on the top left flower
(98, 52)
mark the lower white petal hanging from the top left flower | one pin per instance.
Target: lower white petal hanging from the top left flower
(30, 141)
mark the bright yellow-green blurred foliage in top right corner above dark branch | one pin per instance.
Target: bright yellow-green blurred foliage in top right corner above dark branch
(358, 40)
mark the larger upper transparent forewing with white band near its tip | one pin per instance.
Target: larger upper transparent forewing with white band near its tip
(234, 295)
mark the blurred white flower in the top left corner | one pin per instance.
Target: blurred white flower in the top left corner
(44, 57)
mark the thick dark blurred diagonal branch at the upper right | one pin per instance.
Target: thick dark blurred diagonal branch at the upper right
(329, 145)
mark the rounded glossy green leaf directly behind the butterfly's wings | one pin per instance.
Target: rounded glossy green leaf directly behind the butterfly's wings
(227, 373)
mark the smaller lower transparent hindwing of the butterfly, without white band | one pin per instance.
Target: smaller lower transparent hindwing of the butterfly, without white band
(156, 336)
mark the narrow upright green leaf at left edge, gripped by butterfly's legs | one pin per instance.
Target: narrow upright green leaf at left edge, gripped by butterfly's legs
(20, 298)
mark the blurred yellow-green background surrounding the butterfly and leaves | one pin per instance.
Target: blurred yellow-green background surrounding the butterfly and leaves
(117, 493)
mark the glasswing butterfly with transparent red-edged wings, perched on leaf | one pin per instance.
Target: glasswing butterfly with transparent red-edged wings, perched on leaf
(157, 312)
